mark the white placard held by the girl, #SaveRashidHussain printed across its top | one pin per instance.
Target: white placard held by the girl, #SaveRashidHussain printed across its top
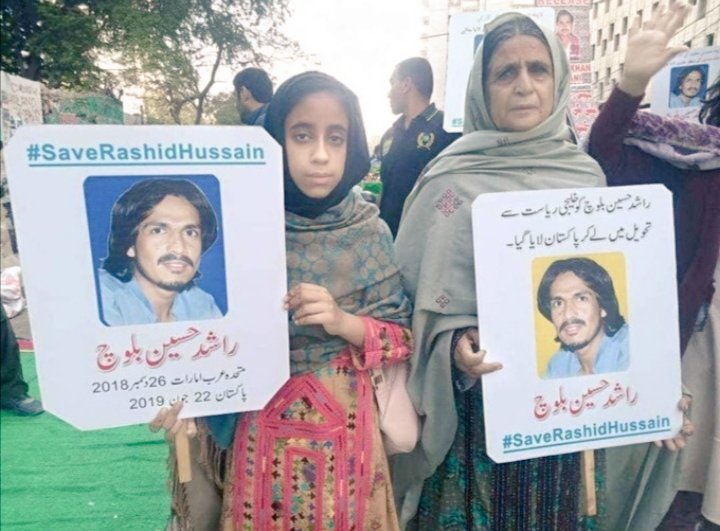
(227, 348)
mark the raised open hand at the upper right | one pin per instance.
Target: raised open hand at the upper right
(647, 48)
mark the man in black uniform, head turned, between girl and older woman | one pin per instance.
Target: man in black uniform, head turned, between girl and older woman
(413, 140)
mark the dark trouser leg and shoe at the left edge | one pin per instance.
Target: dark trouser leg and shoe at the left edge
(13, 389)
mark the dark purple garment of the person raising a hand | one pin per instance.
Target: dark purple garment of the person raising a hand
(696, 194)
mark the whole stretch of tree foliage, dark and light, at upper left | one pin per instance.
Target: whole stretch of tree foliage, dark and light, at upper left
(171, 48)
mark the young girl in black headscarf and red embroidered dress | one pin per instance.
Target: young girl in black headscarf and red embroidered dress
(313, 457)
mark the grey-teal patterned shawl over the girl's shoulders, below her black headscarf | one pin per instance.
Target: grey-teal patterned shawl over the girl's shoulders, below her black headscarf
(349, 251)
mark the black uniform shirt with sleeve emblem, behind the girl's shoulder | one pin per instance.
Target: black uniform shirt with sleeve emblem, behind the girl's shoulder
(404, 154)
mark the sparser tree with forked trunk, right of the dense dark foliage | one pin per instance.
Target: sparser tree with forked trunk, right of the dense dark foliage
(190, 33)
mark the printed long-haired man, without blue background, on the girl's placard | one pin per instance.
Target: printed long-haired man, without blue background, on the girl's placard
(159, 230)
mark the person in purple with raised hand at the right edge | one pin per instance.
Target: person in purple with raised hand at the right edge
(642, 148)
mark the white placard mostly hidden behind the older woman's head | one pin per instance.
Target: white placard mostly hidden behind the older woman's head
(465, 33)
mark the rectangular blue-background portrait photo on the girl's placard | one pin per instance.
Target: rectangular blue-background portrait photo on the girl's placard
(159, 234)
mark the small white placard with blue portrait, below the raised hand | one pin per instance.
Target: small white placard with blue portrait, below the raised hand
(678, 89)
